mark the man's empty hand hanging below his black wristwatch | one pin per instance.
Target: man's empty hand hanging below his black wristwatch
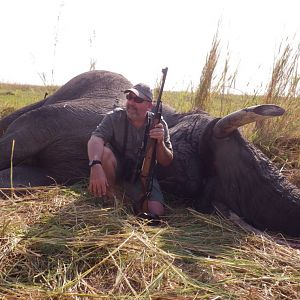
(98, 181)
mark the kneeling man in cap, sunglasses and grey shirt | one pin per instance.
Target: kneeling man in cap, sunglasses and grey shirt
(114, 146)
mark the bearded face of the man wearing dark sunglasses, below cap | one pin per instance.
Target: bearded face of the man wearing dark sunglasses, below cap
(136, 108)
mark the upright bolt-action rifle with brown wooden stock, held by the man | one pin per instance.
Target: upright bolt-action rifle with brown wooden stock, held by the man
(149, 160)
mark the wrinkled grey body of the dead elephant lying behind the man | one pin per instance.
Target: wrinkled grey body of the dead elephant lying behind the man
(51, 147)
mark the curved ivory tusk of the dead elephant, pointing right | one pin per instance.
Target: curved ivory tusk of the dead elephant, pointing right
(231, 122)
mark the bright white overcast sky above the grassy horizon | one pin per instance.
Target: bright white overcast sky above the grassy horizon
(50, 41)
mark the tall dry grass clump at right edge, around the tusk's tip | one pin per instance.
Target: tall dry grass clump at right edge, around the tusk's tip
(280, 137)
